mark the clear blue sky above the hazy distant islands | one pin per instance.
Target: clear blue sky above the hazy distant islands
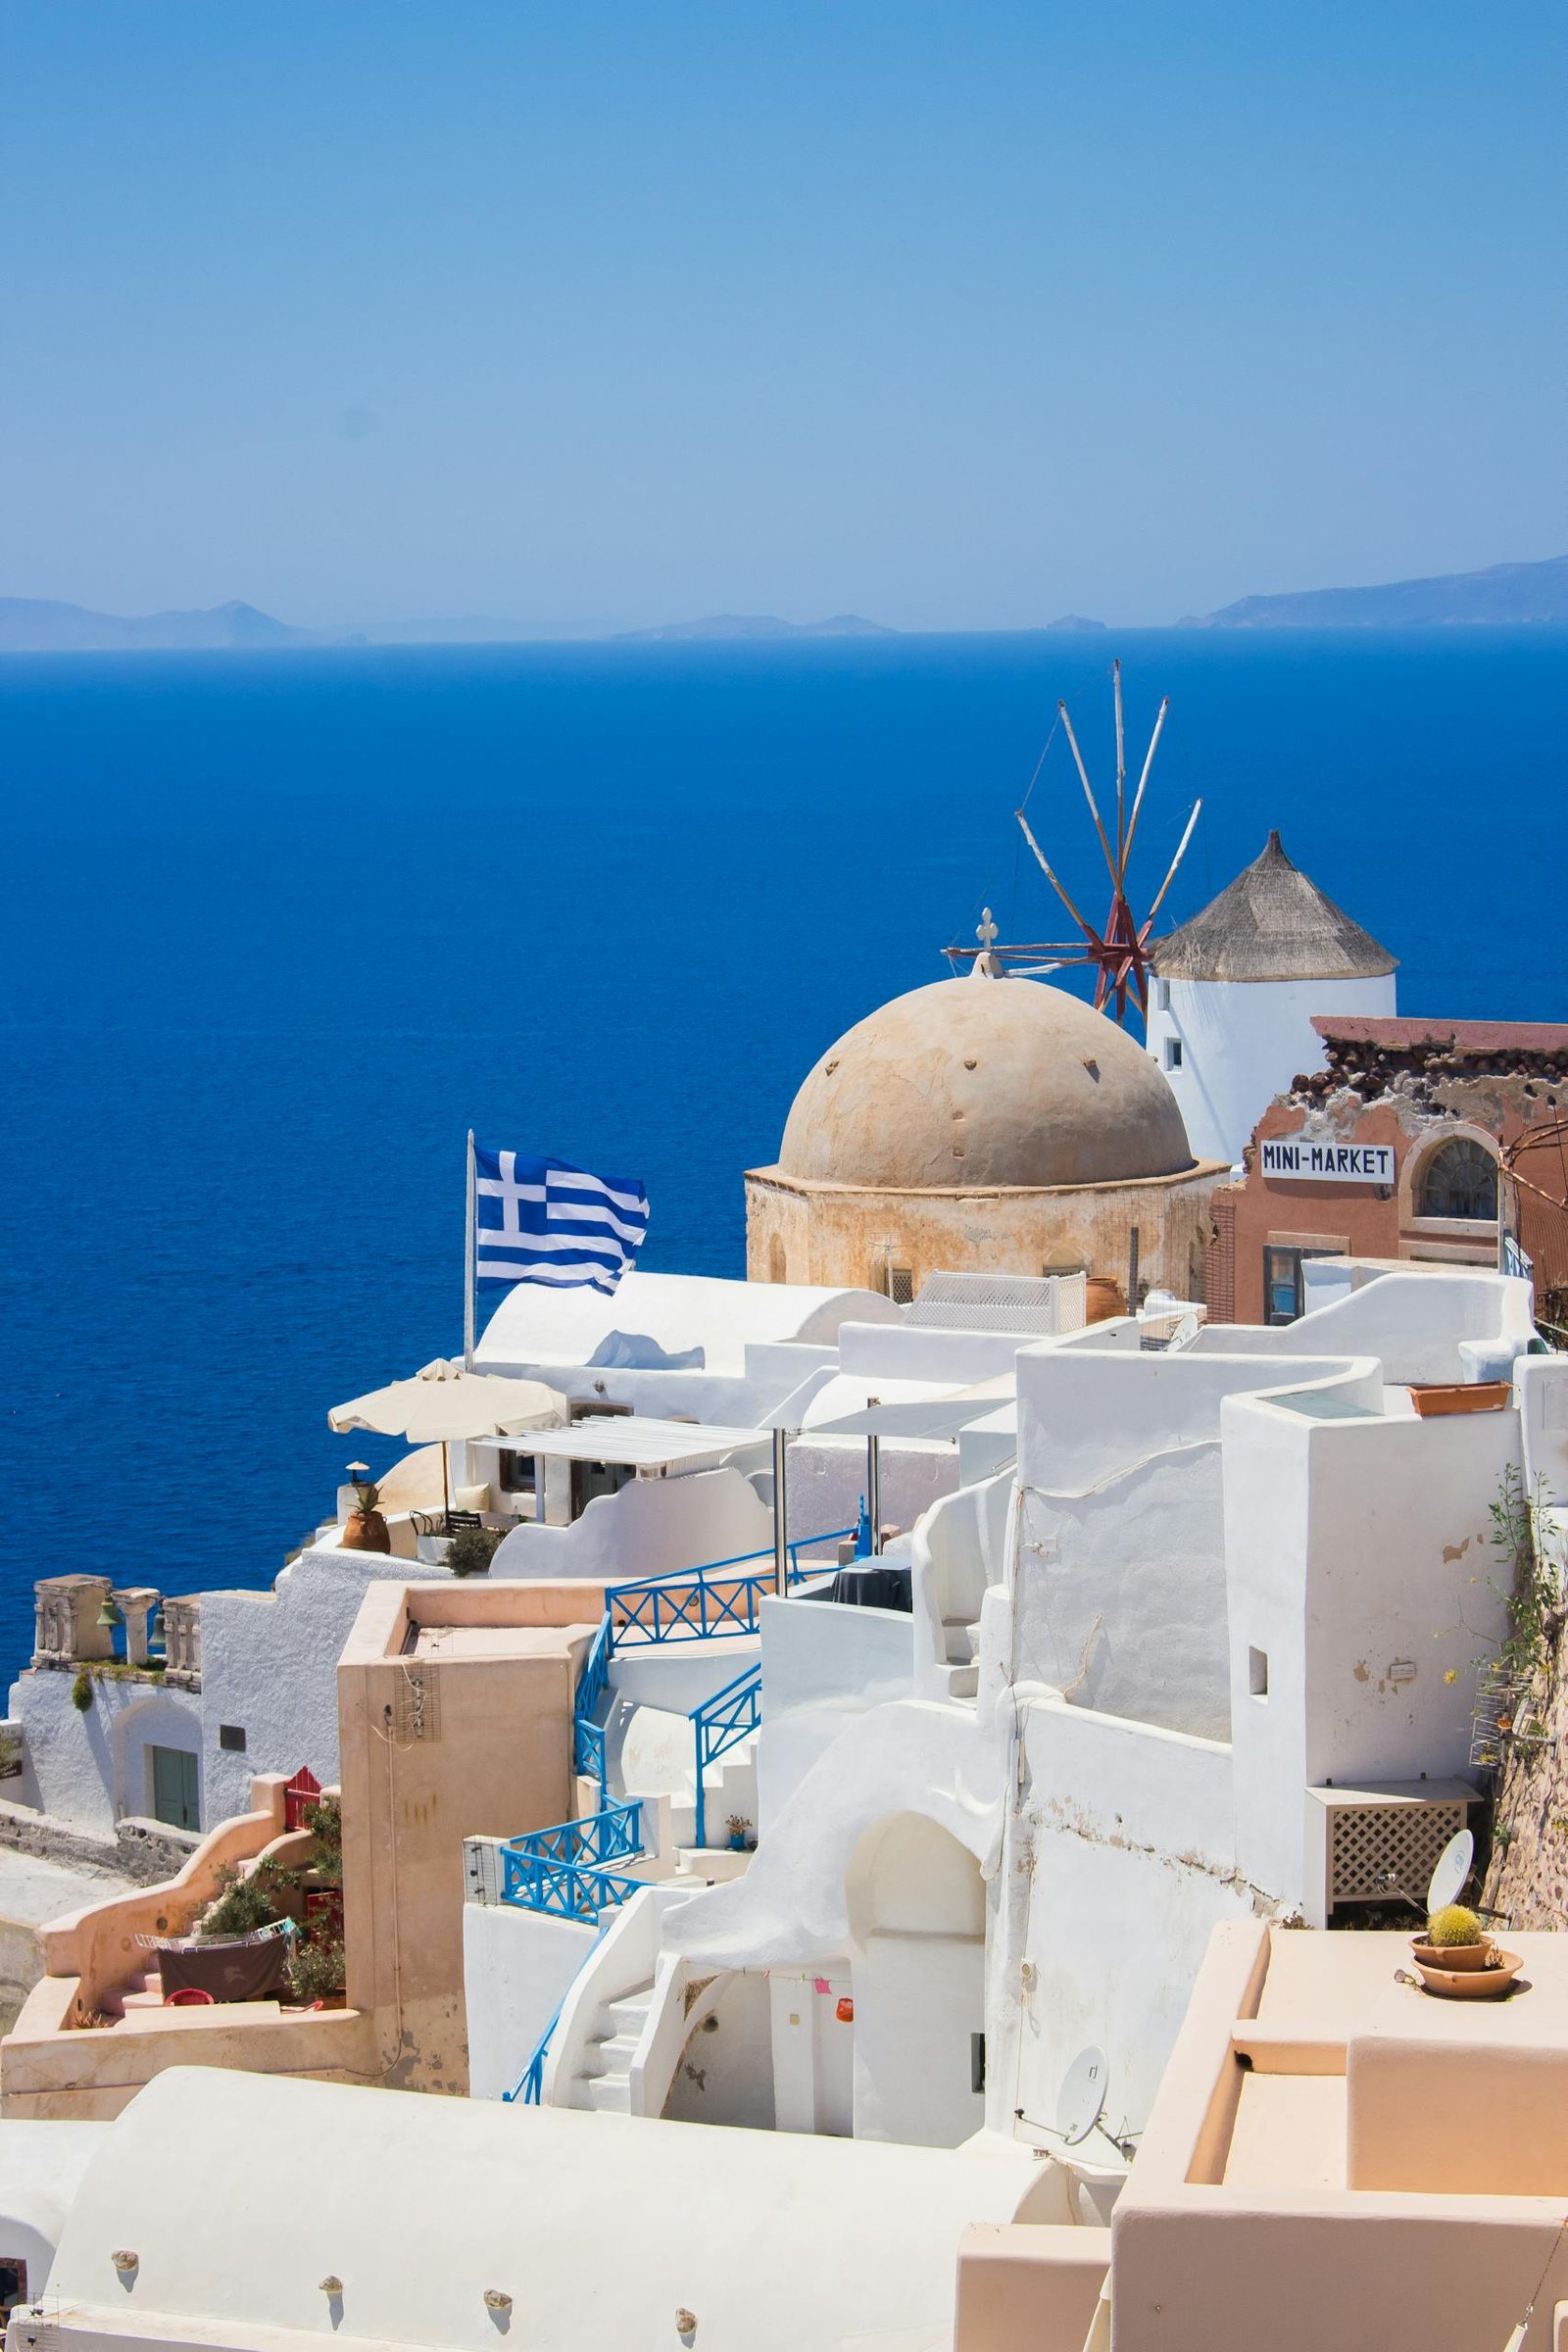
(951, 312)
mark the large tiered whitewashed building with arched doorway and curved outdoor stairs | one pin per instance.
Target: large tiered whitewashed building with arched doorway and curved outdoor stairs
(1205, 1652)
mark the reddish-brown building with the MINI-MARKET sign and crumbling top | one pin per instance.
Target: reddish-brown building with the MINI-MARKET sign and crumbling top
(1409, 1144)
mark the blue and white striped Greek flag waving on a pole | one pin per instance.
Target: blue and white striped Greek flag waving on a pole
(547, 1222)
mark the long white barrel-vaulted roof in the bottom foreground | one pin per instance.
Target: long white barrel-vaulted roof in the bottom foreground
(241, 2193)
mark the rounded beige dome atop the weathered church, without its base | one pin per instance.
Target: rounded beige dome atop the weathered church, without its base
(984, 1083)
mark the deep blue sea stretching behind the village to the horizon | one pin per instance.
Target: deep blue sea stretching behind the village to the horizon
(281, 928)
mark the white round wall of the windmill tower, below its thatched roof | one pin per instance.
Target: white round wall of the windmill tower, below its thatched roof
(1242, 1045)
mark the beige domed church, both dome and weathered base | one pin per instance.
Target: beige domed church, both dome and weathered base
(989, 1125)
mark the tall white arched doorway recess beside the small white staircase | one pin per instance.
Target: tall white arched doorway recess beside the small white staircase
(918, 1963)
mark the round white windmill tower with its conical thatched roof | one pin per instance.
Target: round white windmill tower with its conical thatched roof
(1235, 991)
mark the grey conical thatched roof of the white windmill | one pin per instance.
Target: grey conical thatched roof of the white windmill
(1271, 926)
